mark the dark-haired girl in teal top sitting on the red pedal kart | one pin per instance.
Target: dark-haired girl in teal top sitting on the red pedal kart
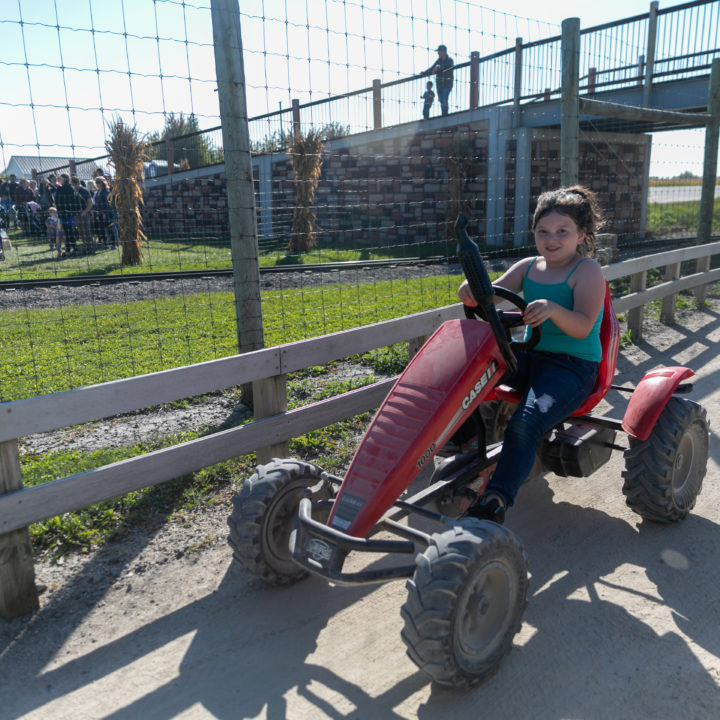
(565, 290)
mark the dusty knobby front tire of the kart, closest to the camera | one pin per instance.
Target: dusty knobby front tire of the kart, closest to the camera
(465, 602)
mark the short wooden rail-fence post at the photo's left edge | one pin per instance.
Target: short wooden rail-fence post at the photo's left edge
(18, 594)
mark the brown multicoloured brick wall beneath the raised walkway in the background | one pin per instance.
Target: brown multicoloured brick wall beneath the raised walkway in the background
(394, 190)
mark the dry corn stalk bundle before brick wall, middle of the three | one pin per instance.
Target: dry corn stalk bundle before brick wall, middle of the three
(306, 161)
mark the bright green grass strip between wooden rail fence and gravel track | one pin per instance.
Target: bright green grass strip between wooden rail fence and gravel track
(50, 350)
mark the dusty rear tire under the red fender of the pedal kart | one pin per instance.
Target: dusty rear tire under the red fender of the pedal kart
(663, 474)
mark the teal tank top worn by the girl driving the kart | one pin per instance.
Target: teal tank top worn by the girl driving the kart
(553, 338)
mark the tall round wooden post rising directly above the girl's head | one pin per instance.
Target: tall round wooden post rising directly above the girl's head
(570, 102)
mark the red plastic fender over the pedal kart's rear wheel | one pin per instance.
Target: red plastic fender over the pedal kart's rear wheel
(649, 398)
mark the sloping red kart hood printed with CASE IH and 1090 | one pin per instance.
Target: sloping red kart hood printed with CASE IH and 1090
(454, 371)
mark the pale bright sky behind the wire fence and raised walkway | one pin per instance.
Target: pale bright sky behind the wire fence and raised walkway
(70, 66)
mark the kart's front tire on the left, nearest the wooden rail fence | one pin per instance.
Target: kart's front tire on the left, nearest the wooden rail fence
(263, 515)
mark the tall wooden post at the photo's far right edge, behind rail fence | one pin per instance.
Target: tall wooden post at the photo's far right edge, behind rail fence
(707, 196)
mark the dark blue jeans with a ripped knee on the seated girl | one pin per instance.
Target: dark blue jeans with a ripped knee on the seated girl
(553, 387)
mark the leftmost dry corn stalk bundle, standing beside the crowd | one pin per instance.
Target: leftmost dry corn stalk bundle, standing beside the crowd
(127, 152)
